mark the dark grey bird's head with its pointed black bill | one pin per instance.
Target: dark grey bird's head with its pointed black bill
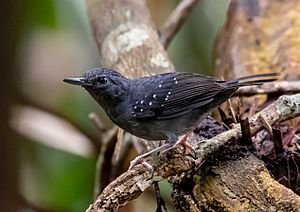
(103, 84)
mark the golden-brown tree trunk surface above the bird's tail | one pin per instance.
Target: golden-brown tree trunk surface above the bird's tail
(260, 36)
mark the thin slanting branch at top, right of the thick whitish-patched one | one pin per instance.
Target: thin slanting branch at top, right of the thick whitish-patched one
(175, 21)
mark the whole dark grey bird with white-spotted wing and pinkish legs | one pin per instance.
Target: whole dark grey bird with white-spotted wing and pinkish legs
(166, 106)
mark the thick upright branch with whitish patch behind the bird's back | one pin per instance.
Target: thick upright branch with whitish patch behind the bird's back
(127, 38)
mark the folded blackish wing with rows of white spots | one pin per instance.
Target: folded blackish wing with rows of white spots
(175, 95)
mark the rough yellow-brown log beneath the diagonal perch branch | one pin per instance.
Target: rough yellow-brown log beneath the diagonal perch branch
(240, 185)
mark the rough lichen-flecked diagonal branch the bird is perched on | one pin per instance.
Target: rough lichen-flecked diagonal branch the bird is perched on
(134, 182)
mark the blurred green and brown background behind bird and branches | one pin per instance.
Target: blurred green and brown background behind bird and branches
(54, 149)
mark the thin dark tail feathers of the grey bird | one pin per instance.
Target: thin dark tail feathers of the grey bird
(257, 79)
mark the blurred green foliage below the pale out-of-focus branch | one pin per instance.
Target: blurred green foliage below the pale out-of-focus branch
(55, 179)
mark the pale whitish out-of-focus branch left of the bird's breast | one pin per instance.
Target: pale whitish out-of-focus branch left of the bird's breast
(50, 130)
